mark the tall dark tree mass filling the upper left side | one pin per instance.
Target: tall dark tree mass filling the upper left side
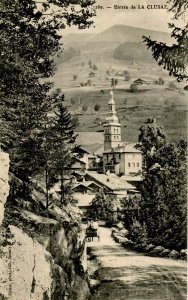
(30, 41)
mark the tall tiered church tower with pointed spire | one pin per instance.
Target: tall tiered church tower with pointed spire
(112, 127)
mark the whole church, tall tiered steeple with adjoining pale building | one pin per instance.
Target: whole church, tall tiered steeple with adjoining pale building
(119, 157)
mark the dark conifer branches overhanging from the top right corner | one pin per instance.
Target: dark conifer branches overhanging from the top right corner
(173, 58)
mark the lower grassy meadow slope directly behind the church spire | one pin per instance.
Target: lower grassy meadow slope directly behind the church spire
(167, 106)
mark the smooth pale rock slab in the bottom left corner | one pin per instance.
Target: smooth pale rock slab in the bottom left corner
(27, 269)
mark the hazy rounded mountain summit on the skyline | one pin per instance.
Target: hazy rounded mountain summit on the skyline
(103, 44)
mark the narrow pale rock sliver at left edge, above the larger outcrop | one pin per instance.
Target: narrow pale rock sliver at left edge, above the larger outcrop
(4, 186)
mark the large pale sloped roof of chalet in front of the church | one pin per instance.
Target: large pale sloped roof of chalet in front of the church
(112, 181)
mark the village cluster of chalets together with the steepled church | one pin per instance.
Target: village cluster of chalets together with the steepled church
(114, 167)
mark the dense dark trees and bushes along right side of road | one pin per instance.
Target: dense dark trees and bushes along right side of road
(163, 204)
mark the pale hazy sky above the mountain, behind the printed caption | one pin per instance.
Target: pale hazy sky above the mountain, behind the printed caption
(155, 19)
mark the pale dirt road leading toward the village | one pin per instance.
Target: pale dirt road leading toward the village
(126, 275)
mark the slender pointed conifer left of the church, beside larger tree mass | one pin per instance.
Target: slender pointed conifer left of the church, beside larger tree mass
(58, 140)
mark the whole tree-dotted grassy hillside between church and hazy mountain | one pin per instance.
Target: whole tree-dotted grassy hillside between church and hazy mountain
(168, 106)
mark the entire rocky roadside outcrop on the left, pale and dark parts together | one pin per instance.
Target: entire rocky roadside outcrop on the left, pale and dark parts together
(42, 253)
